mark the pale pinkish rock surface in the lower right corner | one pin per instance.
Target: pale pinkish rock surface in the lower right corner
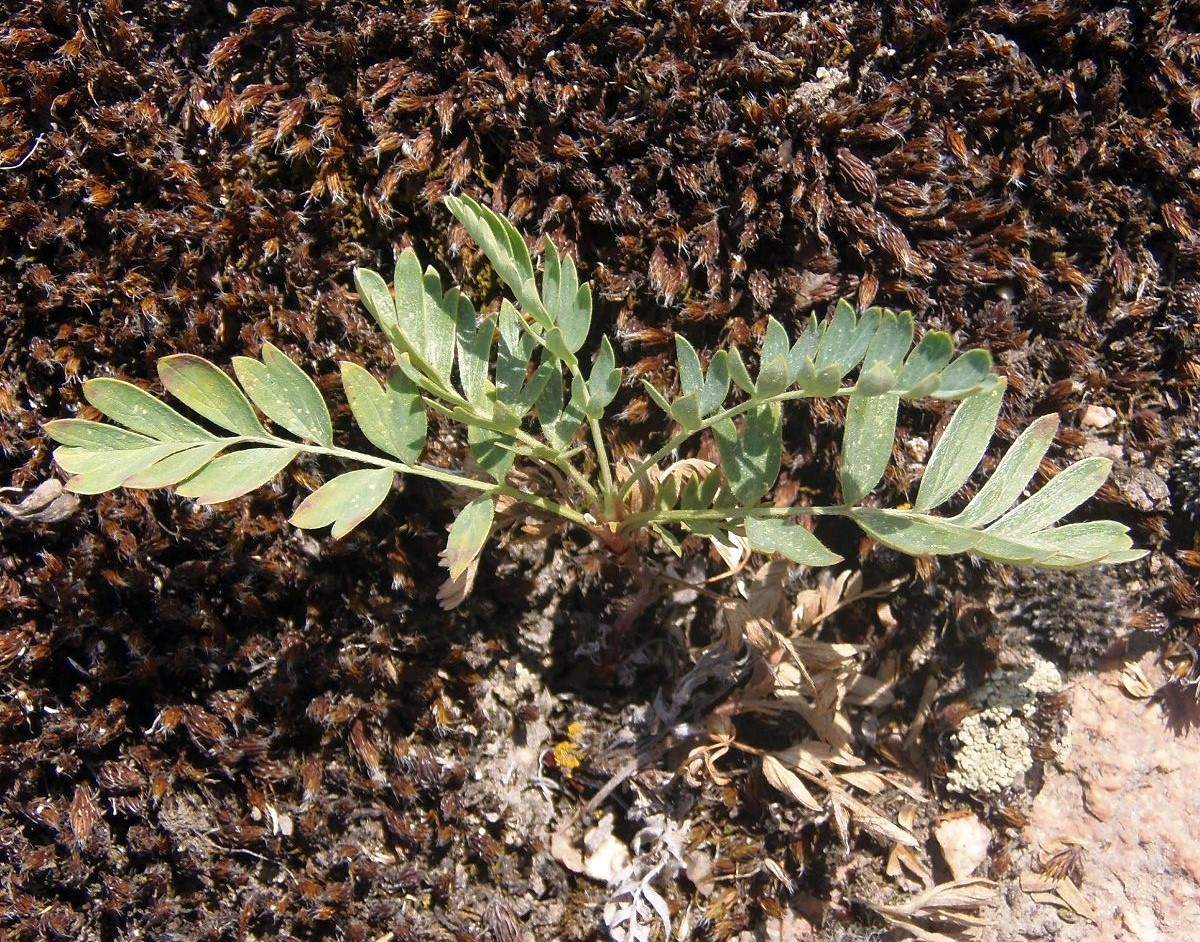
(1129, 794)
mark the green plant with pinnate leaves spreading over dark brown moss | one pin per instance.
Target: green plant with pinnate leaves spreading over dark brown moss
(529, 401)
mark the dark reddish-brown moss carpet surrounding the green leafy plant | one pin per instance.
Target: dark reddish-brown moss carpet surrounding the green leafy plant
(178, 178)
